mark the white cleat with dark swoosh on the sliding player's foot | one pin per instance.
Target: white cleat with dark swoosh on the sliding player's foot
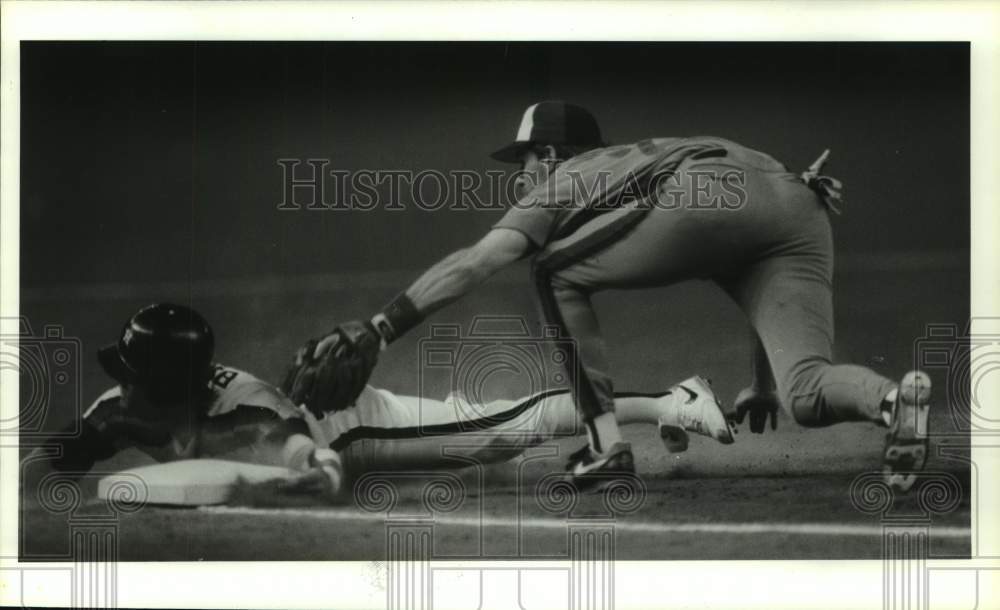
(696, 409)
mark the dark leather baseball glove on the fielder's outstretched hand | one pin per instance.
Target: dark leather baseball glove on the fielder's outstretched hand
(329, 373)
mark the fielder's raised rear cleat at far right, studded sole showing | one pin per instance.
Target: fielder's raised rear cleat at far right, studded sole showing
(906, 443)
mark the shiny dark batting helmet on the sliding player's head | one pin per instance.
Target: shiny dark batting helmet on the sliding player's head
(164, 346)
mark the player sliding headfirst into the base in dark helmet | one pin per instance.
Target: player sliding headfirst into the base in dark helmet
(173, 402)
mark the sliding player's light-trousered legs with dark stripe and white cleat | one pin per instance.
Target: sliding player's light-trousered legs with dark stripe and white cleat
(385, 431)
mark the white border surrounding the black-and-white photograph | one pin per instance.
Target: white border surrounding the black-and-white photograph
(767, 584)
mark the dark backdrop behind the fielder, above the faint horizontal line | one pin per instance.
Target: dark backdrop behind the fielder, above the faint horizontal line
(145, 161)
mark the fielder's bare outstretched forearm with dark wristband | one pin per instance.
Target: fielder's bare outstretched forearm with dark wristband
(451, 278)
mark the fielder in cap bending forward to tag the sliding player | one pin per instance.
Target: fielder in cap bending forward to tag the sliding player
(657, 212)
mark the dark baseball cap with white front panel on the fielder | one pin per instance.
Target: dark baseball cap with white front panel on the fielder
(552, 122)
